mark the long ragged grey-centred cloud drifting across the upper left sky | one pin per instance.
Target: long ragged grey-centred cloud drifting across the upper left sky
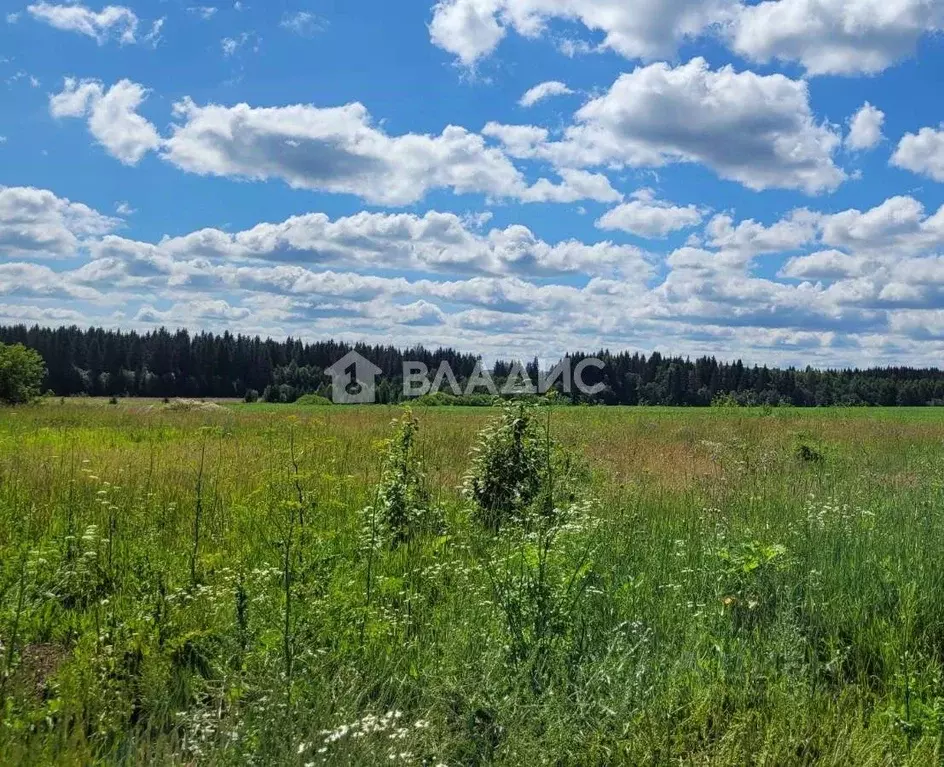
(332, 149)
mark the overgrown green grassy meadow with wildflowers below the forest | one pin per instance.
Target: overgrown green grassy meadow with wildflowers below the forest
(254, 584)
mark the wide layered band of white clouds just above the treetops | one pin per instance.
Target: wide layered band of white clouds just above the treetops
(859, 278)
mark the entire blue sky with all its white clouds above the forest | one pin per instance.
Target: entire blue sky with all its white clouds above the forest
(754, 180)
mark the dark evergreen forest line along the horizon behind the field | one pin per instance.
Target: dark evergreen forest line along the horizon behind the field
(163, 363)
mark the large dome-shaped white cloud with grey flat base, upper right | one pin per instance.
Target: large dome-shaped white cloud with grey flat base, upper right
(758, 130)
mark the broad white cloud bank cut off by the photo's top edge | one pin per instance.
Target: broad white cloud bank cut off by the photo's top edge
(824, 36)
